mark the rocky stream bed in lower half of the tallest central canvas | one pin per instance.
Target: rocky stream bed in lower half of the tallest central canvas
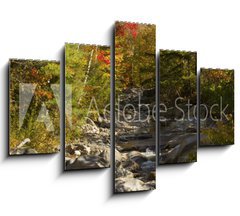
(135, 144)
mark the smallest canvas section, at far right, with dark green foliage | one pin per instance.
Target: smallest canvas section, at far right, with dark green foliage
(216, 107)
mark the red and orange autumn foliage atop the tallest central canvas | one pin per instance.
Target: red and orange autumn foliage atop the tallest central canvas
(134, 55)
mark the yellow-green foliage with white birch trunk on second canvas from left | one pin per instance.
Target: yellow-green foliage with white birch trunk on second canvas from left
(87, 71)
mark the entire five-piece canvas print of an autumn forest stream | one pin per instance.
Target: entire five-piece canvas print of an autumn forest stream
(150, 112)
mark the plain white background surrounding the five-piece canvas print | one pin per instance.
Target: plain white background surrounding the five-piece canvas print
(39, 29)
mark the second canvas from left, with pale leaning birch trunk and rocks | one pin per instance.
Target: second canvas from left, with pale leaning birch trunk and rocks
(87, 106)
